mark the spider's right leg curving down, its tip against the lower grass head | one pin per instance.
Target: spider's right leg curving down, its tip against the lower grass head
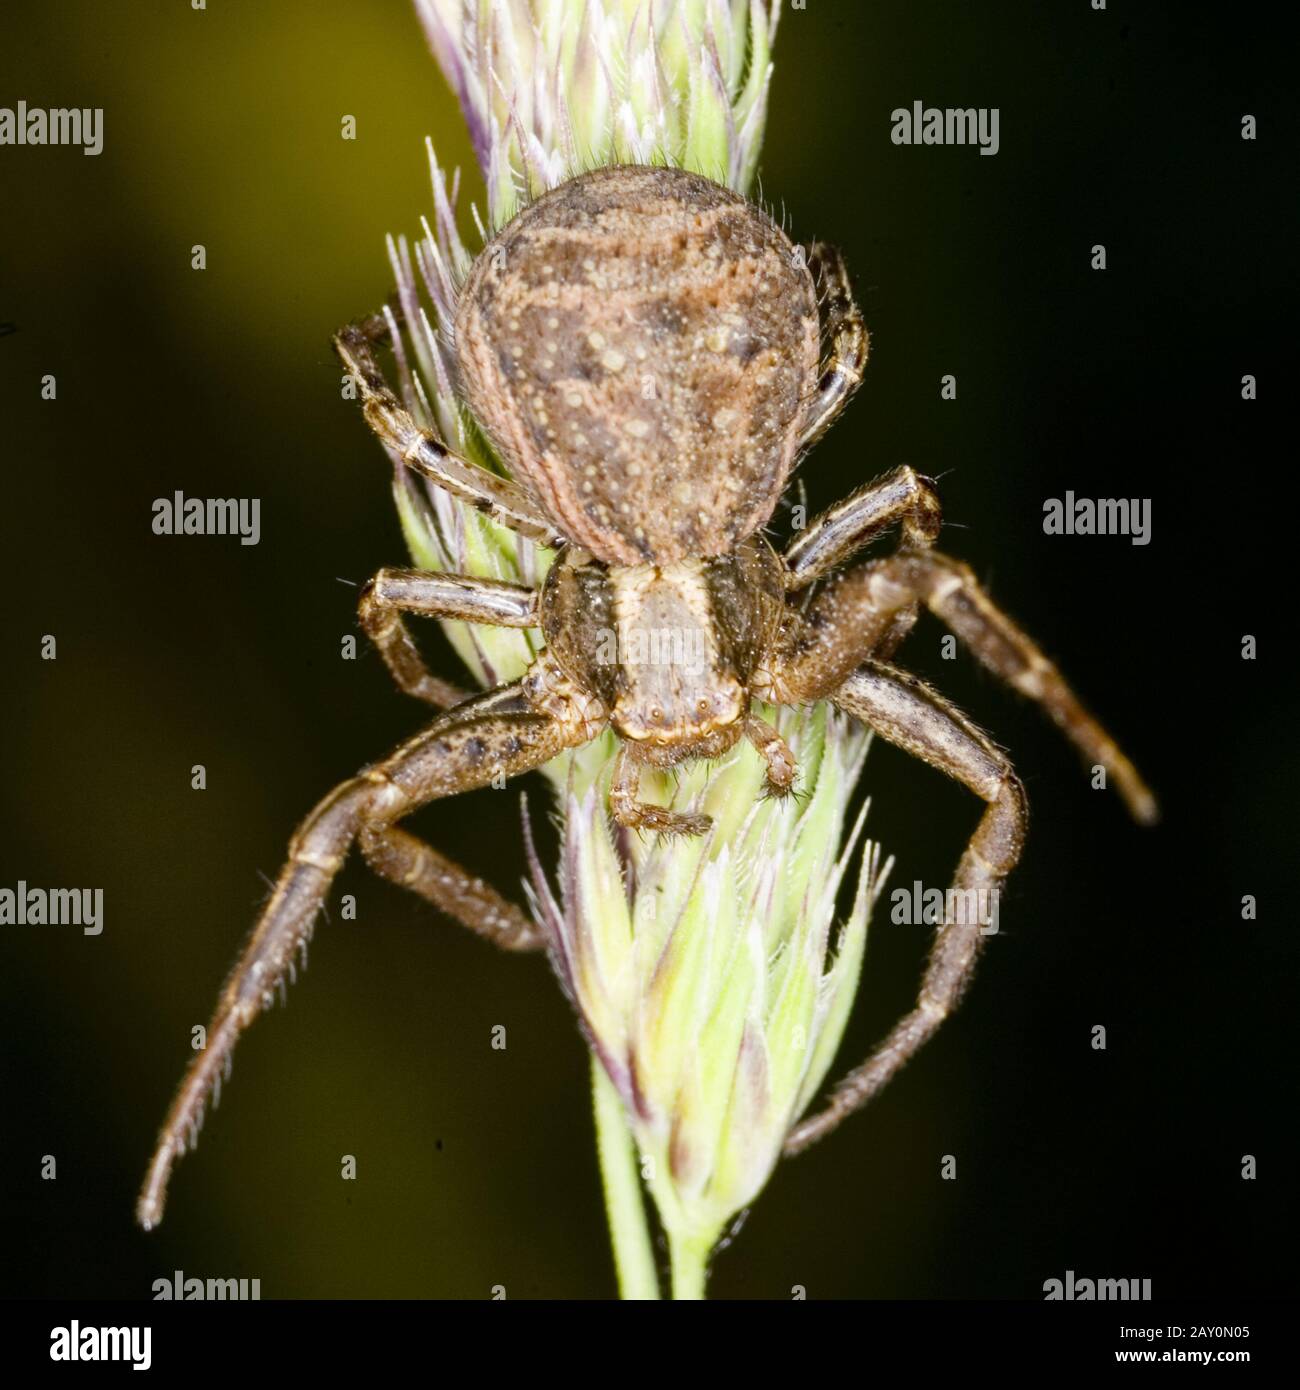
(909, 714)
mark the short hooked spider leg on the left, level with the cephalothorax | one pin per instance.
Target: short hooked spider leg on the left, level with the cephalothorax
(397, 591)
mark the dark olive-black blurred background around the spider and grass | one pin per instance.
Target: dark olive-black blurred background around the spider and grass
(476, 1167)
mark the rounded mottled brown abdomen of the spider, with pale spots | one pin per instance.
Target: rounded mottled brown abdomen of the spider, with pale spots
(639, 344)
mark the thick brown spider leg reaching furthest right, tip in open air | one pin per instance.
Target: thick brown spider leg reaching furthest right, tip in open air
(856, 612)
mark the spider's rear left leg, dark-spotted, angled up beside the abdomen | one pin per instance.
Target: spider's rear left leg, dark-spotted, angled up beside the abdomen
(423, 452)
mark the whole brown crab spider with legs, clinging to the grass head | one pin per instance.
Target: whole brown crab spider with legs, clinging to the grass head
(650, 354)
